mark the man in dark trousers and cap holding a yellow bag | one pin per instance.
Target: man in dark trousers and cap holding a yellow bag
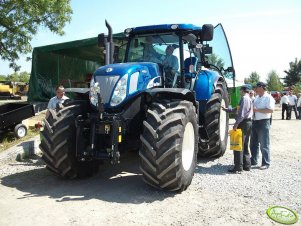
(243, 121)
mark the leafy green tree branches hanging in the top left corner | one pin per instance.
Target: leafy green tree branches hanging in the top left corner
(19, 22)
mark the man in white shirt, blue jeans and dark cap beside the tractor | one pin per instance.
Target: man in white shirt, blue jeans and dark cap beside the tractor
(263, 108)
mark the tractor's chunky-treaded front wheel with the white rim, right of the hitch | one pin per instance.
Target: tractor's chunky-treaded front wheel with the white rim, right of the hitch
(168, 152)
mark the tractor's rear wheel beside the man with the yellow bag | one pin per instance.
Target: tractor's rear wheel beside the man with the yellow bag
(216, 123)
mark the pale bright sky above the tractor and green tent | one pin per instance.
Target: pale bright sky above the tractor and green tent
(263, 35)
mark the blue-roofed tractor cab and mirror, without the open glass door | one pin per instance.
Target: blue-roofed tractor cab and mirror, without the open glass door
(175, 48)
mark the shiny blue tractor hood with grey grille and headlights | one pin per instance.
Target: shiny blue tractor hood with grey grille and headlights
(116, 83)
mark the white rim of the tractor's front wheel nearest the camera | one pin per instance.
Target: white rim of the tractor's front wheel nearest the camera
(188, 146)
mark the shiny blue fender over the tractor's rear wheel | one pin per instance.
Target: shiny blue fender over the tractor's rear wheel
(205, 84)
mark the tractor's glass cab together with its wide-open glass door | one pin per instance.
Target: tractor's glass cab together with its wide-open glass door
(192, 48)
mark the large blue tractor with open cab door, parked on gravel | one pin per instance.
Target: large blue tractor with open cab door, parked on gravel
(170, 113)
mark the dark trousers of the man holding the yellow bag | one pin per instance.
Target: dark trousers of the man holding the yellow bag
(242, 158)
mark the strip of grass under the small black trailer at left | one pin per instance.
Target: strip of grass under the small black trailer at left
(8, 139)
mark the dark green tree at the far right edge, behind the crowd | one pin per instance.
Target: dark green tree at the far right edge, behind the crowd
(294, 73)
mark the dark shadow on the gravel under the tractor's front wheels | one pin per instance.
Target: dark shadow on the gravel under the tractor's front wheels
(120, 183)
